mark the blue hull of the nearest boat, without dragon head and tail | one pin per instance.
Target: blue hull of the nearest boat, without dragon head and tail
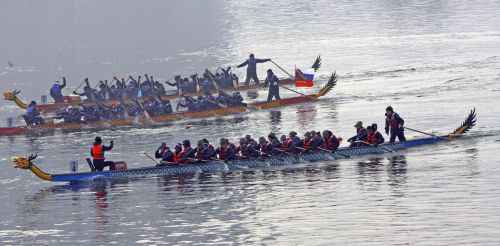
(243, 164)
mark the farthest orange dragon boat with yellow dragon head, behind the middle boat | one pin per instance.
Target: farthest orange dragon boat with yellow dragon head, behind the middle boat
(76, 100)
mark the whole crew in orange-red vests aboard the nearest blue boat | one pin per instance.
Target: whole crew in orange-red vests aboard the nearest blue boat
(248, 148)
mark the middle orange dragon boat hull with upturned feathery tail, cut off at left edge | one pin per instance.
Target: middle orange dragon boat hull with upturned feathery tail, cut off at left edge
(174, 116)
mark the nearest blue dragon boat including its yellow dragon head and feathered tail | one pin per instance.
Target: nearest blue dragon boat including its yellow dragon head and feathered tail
(244, 164)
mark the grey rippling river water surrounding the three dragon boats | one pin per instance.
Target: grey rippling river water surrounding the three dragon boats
(435, 195)
